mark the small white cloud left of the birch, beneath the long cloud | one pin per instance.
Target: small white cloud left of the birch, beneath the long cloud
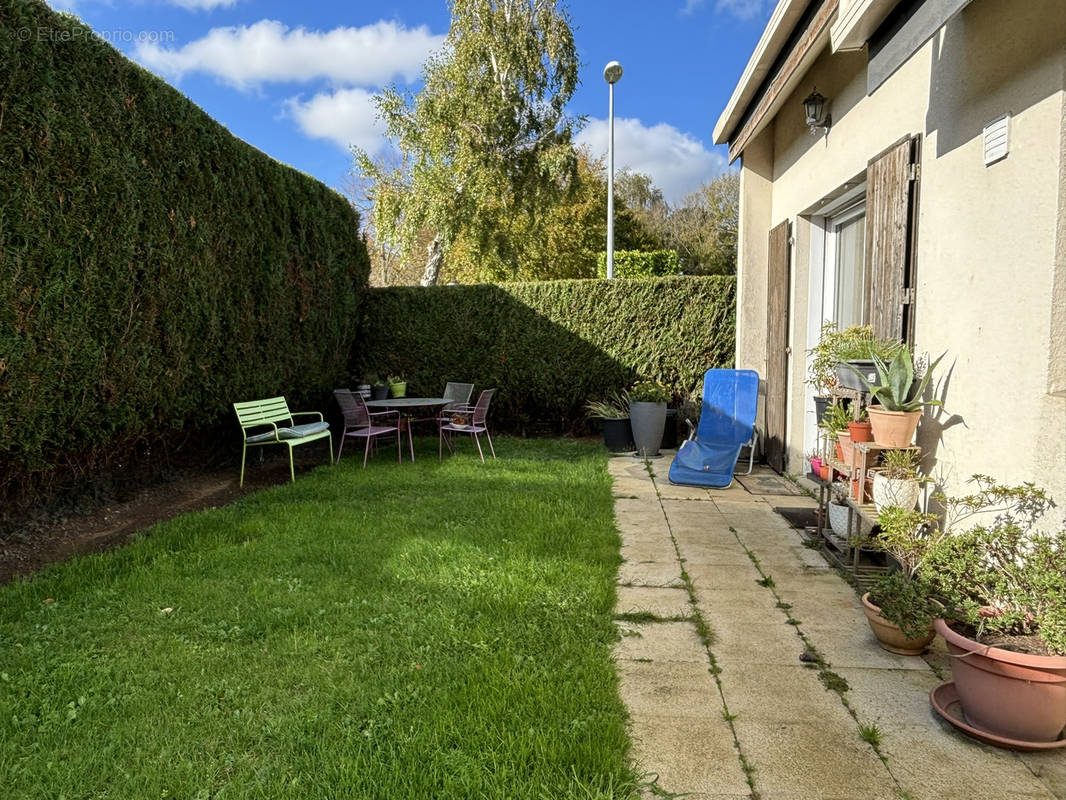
(346, 118)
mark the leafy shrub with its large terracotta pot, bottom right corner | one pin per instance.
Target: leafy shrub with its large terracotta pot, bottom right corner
(1003, 585)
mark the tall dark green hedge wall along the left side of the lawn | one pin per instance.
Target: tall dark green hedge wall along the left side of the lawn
(154, 268)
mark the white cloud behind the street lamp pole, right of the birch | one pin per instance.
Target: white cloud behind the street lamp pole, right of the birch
(677, 163)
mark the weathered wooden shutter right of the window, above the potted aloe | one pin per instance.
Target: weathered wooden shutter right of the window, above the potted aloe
(891, 236)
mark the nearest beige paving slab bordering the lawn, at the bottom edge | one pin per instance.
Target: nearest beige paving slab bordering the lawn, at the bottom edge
(694, 757)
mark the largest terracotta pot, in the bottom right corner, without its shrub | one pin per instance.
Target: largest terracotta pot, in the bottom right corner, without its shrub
(1016, 696)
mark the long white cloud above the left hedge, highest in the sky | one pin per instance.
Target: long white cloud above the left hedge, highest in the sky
(270, 52)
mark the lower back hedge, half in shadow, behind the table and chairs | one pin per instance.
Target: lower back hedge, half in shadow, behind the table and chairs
(550, 347)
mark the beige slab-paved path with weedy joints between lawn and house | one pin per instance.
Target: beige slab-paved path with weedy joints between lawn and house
(718, 600)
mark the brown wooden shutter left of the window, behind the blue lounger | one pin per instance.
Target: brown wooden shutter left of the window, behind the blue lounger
(778, 344)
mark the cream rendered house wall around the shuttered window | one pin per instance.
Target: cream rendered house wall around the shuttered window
(991, 238)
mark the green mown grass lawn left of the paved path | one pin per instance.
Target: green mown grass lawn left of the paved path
(402, 632)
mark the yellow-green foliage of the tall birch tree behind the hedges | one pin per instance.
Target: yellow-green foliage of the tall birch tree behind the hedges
(487, 139)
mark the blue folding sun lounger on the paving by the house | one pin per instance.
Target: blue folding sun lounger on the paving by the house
(726, 424)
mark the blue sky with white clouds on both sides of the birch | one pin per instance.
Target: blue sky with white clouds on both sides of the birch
(296, 79)
